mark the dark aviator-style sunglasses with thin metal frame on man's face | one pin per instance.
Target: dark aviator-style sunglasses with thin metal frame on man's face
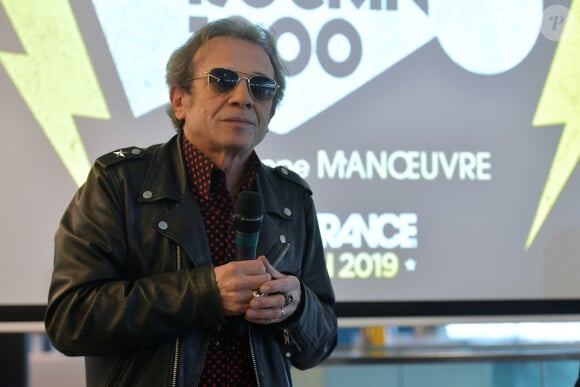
(223, 80)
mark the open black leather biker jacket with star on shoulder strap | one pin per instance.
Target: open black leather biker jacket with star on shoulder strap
(133, 289)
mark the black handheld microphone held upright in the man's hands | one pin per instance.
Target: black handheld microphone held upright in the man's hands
(246, 221)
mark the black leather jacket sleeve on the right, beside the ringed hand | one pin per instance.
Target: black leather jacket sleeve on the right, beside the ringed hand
(313, 328)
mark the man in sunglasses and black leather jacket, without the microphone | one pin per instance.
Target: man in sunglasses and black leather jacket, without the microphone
(145, 284)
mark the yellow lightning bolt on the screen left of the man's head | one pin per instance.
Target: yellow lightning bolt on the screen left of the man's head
(55, 76)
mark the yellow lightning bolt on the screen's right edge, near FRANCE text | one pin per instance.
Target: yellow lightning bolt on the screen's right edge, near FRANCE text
(560, 104)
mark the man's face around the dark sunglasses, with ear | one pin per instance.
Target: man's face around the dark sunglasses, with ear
(229, 124)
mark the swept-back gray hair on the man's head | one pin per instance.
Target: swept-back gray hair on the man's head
(180, 67)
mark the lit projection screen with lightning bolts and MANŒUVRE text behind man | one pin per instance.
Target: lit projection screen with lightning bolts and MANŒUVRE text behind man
(440, 138)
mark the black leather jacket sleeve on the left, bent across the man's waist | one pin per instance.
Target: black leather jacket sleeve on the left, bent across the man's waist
(96, 304)
